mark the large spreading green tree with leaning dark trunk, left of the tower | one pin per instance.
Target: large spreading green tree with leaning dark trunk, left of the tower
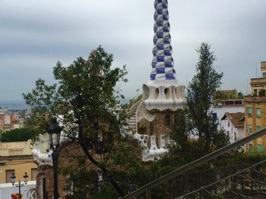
(85, 101)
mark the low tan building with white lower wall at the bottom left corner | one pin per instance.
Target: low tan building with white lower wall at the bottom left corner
(16, 160)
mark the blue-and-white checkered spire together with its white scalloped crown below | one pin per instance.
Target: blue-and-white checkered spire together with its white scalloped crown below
(162, 91)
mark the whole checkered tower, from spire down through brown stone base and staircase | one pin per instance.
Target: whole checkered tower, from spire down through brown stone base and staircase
(151, 117)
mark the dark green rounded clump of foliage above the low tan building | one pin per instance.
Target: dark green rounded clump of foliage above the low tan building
(18, 135)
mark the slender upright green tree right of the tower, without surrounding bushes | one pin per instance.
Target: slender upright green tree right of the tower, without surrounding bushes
(198, 99)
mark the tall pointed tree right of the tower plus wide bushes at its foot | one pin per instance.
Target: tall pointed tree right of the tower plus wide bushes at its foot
(195, 131)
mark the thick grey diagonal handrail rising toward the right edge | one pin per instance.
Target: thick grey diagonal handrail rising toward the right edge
(147, 188)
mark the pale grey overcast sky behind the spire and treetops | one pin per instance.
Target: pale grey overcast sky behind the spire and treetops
(34, 35)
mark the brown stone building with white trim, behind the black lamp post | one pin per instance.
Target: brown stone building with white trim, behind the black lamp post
(68, 152)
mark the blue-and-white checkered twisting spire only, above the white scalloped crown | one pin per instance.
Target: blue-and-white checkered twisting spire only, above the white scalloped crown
(162, 62)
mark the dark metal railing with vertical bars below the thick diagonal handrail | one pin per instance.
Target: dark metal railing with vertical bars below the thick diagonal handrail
(241, 181)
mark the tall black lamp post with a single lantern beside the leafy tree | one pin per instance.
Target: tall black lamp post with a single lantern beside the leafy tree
(54, 137)
